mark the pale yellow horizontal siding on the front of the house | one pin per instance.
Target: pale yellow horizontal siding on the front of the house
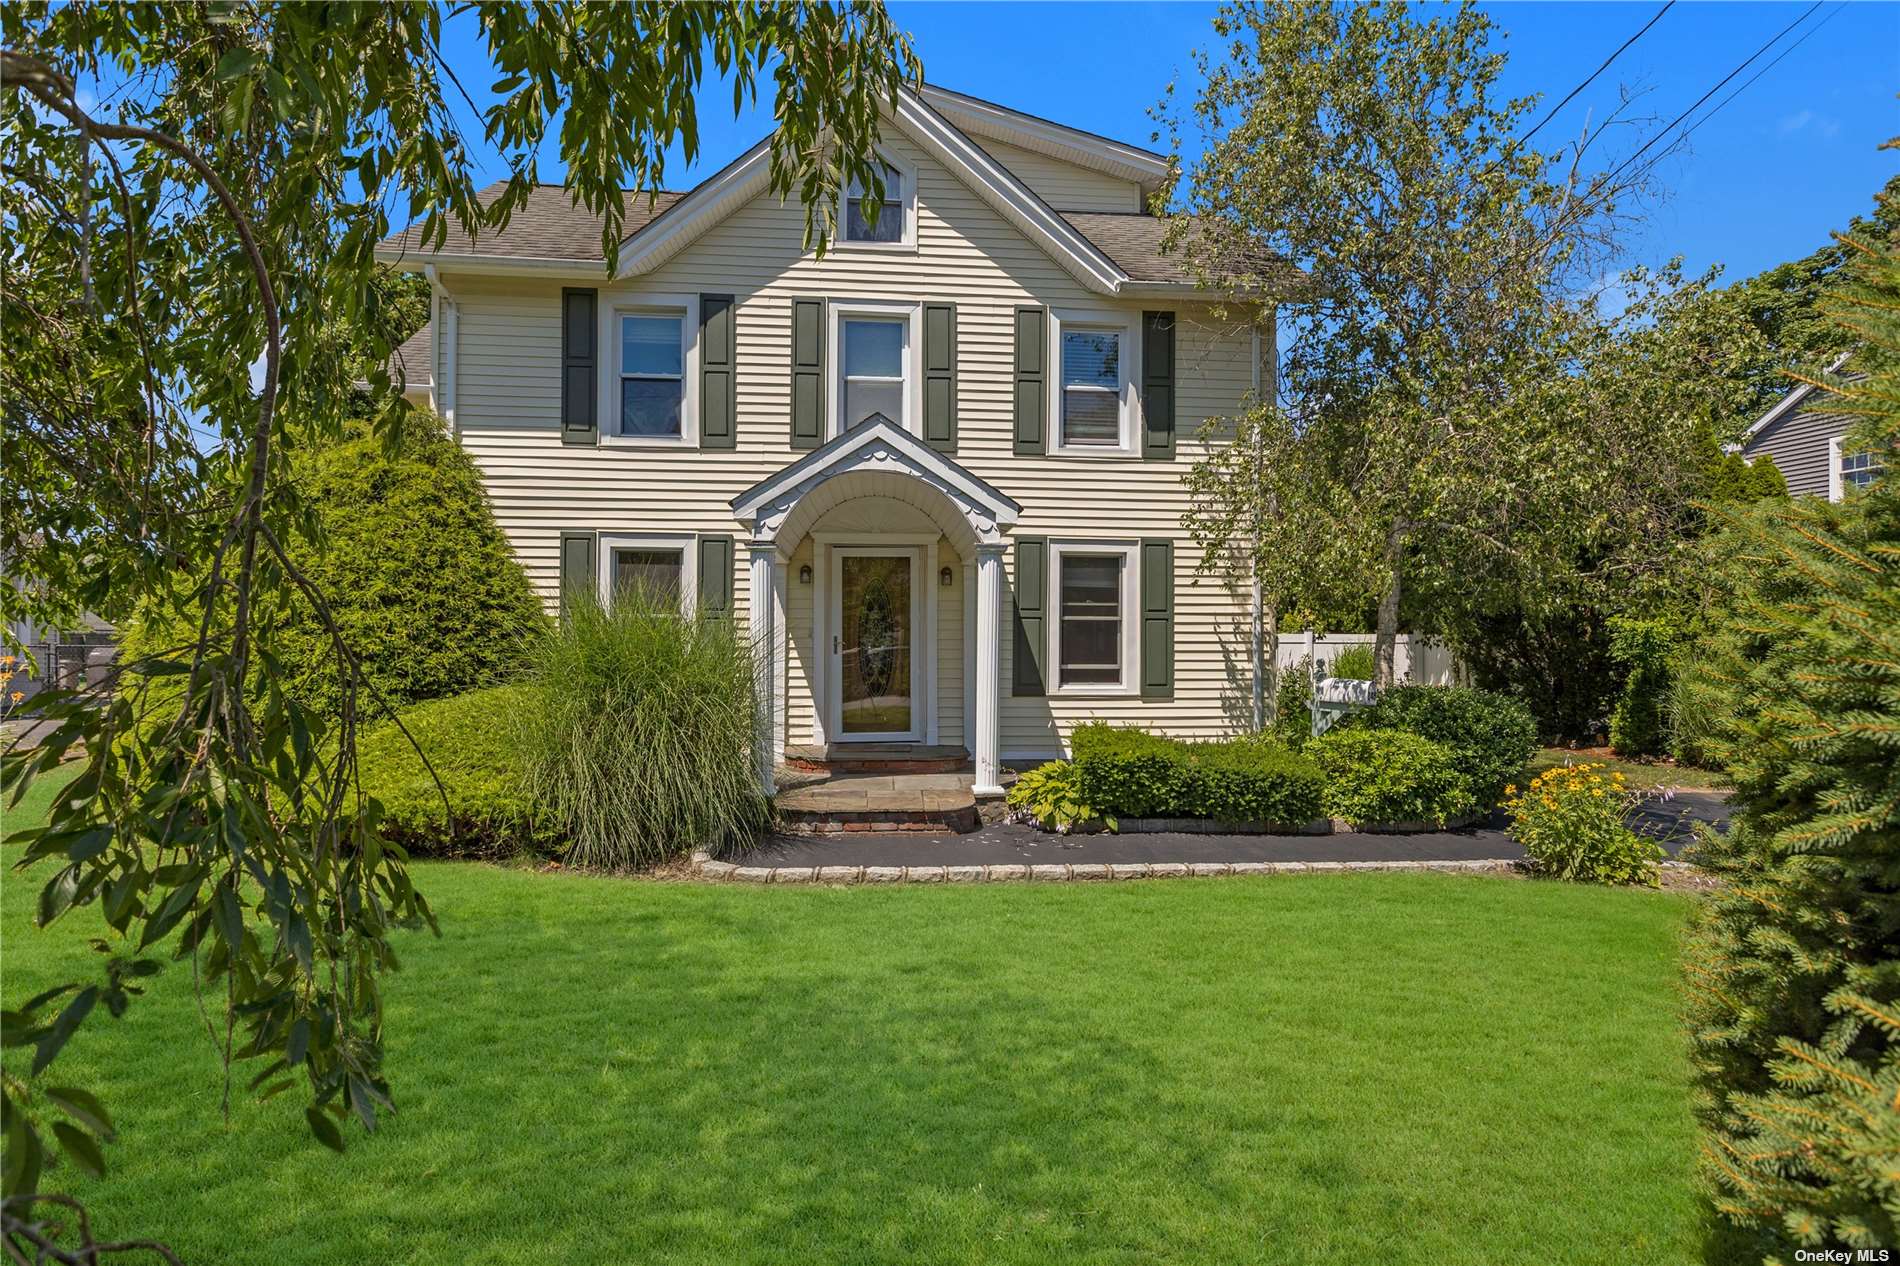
(510, 419)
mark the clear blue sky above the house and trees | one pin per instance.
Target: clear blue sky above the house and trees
(1762, 182)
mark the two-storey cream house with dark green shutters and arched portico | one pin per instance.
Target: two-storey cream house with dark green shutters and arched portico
(940, 472)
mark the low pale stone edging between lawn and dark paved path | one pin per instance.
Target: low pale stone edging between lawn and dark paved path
(1073, 872)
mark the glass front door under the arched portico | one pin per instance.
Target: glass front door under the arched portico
(873, 649)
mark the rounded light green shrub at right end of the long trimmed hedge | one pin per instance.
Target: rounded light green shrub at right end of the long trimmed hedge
(1380, 777)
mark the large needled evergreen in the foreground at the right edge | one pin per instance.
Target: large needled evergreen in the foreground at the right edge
(1796, 961)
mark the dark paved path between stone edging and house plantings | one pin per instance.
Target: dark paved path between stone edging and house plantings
(1010, 845)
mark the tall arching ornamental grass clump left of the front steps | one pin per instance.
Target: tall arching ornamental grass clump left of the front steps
(641, 737)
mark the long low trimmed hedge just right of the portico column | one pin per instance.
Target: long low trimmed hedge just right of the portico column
(1141, 775)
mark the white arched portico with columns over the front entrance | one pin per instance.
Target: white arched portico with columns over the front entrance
(879, 461)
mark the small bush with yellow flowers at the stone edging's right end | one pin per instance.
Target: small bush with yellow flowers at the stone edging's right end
(1572, 824)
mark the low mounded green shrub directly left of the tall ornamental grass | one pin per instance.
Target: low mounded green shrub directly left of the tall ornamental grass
(474, 746)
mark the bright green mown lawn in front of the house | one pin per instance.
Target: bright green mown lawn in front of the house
(1352, 1069)
